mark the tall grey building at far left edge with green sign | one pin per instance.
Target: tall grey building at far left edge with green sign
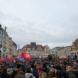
(4, 42)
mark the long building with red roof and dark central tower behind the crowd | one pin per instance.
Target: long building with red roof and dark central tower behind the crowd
(36, 50)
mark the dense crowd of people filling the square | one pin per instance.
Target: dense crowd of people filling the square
(40, 68)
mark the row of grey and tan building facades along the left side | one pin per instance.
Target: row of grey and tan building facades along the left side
(6, 44)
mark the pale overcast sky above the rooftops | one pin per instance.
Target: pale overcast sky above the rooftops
(52, 22)
